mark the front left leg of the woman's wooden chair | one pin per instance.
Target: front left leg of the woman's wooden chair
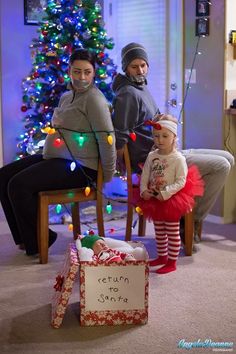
(43, 229)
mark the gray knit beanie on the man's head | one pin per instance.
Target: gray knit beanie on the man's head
(131, 52)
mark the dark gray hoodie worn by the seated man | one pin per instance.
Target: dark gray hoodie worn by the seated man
(133, 104)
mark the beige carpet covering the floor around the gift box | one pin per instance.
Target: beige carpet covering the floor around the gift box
(198, 301)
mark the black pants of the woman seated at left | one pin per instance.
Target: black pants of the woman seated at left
(20, 182)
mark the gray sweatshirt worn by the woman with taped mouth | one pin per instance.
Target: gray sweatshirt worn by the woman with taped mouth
(84, 115)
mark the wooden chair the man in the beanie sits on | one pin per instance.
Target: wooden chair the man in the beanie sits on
(188, 218)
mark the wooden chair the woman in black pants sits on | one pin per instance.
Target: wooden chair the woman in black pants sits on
(74, 196)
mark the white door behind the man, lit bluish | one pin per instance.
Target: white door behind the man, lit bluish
(156, 24)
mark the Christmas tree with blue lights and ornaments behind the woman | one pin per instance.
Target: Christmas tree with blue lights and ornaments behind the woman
(68, 25)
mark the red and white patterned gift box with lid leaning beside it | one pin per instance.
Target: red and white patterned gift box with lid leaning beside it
(110, 294)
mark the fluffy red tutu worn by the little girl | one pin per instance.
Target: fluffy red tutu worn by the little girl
(179, 204)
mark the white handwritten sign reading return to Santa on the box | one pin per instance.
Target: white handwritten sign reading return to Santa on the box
(115, 288)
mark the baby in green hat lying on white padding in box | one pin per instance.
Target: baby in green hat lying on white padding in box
(94, 247)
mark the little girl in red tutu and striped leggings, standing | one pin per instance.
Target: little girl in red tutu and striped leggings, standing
(167, 191)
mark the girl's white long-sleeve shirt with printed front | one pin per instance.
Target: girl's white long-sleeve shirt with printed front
(165, 174)
